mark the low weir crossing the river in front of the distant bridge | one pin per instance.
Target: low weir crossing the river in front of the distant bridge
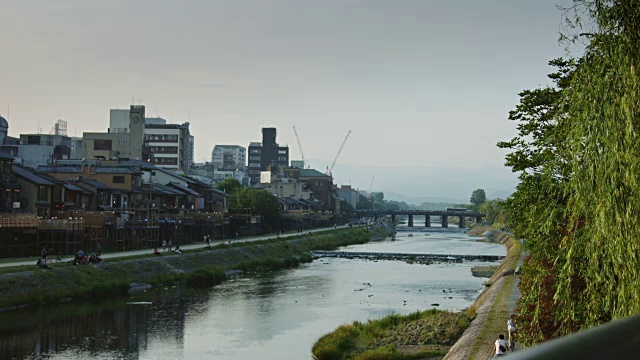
(383, 255)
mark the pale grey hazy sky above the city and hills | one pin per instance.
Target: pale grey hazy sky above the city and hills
(421, 84)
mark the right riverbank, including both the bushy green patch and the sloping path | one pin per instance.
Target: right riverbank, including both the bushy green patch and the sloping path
(395, 337)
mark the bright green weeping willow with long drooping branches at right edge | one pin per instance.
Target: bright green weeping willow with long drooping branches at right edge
(601, 242)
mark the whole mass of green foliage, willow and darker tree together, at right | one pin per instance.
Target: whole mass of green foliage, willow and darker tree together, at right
(578, 202)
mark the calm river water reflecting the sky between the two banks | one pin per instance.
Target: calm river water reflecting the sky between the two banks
(278, 315)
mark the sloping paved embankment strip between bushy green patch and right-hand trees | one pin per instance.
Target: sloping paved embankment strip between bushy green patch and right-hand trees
(491, 306)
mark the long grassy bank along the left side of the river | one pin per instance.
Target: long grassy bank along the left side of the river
(201, 267)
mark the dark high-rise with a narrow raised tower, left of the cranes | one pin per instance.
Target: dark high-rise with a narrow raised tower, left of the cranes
(267, 155)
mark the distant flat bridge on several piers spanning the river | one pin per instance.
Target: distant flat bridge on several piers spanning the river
(443, 214)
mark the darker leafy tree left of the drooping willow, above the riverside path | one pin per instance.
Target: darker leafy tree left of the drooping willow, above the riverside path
(537, 209)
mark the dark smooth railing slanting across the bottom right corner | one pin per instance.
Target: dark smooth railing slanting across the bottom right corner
(618, 339)
